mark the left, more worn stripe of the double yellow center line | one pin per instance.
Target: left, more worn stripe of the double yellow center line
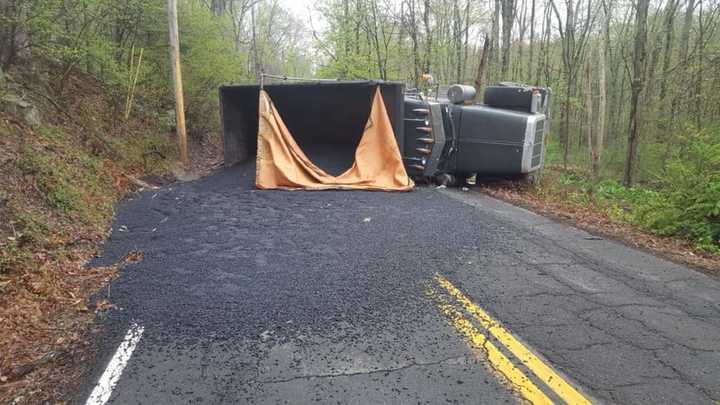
(498, 361)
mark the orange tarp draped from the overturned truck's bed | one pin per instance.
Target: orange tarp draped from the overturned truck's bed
(282, 164)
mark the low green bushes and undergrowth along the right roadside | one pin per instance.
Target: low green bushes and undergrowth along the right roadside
(684, 200)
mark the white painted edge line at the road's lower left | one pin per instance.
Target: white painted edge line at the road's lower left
(102, 391)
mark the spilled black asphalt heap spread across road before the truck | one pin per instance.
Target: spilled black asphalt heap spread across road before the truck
(222, 259)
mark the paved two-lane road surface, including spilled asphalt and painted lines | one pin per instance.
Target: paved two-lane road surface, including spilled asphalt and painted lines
(434, 296)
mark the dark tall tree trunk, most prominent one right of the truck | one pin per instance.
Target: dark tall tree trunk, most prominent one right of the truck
(637, 85)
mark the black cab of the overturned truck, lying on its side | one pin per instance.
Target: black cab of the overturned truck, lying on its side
(456, 137)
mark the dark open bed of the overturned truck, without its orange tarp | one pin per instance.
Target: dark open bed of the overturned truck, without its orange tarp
(326, 118)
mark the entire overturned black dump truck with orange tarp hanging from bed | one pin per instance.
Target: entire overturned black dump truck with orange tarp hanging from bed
(374, 135)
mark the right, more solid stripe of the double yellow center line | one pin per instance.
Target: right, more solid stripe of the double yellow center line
(561, 387)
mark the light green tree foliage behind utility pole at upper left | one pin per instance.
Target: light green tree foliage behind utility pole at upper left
(101, 36)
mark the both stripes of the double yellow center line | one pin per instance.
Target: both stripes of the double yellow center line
(498, 360)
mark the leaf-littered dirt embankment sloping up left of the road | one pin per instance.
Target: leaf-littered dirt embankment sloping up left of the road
(65, 159)
